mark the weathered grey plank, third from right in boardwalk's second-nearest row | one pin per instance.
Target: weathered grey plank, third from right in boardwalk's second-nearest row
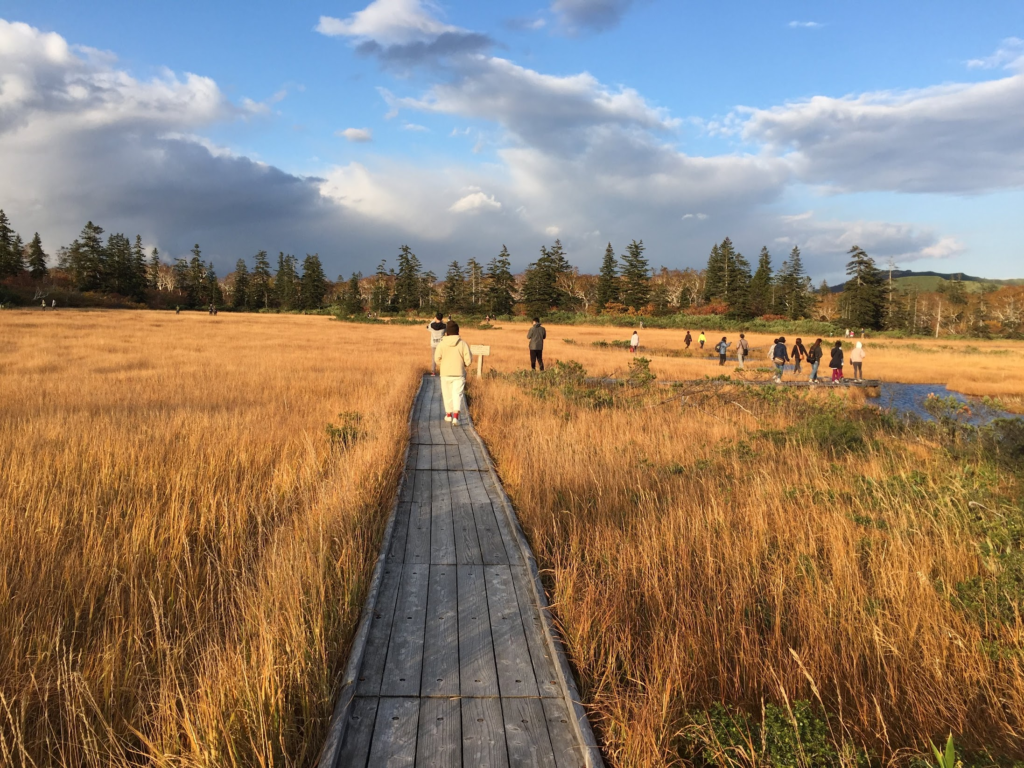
(478, 676)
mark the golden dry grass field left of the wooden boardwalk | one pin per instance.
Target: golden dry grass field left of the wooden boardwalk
(185, 552)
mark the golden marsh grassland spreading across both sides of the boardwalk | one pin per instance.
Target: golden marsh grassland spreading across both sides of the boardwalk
(760, 577)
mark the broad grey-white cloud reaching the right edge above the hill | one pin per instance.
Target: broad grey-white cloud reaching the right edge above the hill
(961, 139)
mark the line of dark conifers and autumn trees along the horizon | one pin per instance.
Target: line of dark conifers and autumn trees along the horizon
(729, 286)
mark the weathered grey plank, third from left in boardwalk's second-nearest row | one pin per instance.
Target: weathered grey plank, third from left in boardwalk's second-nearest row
(441, 646)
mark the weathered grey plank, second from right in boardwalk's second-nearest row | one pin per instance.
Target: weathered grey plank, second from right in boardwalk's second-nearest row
(516, 669)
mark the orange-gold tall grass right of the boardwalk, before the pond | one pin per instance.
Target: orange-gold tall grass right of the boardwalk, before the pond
(715, 556)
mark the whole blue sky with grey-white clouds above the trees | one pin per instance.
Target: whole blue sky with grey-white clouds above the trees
(351, 129)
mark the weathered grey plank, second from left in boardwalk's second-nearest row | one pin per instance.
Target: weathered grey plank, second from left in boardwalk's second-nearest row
(405, 654)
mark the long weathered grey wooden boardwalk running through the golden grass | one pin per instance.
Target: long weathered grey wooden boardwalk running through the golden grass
(456, 664)
